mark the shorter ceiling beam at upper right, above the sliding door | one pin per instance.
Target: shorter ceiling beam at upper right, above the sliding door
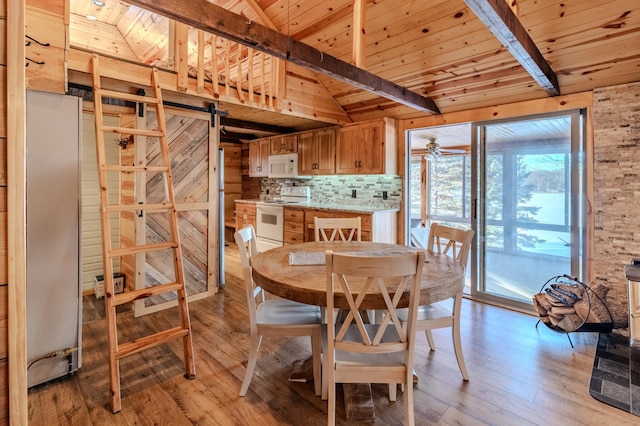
(503, 23)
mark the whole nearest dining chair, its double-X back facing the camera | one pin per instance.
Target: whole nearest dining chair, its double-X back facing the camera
(355, 352)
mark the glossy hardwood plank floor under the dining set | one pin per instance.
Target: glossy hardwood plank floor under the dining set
(519, 374)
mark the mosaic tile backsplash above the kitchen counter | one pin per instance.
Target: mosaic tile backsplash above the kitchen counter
(338, 189)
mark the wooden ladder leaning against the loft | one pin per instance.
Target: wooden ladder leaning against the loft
(112, 300)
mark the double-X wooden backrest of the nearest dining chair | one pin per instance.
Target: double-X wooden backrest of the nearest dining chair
(392, 276)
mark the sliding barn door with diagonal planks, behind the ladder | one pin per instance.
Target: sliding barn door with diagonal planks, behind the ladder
(192, 147)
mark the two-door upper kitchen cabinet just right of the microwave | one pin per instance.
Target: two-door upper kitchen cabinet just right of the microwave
(317, 152)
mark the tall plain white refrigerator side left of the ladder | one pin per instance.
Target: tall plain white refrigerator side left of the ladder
(54, 293)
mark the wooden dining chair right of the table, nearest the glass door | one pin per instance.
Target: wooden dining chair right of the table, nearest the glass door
(456, 243)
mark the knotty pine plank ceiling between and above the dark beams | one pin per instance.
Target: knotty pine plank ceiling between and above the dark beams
(436, 48)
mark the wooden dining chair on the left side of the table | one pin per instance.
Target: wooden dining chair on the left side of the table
(275, 317)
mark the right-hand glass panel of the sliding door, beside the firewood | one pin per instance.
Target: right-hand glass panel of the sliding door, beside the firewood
(527, 187)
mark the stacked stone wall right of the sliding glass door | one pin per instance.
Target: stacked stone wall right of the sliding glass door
(616, 112)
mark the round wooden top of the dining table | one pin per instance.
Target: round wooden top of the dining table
(442, 276)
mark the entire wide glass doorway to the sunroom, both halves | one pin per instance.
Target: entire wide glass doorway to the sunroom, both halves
(520, 185)
